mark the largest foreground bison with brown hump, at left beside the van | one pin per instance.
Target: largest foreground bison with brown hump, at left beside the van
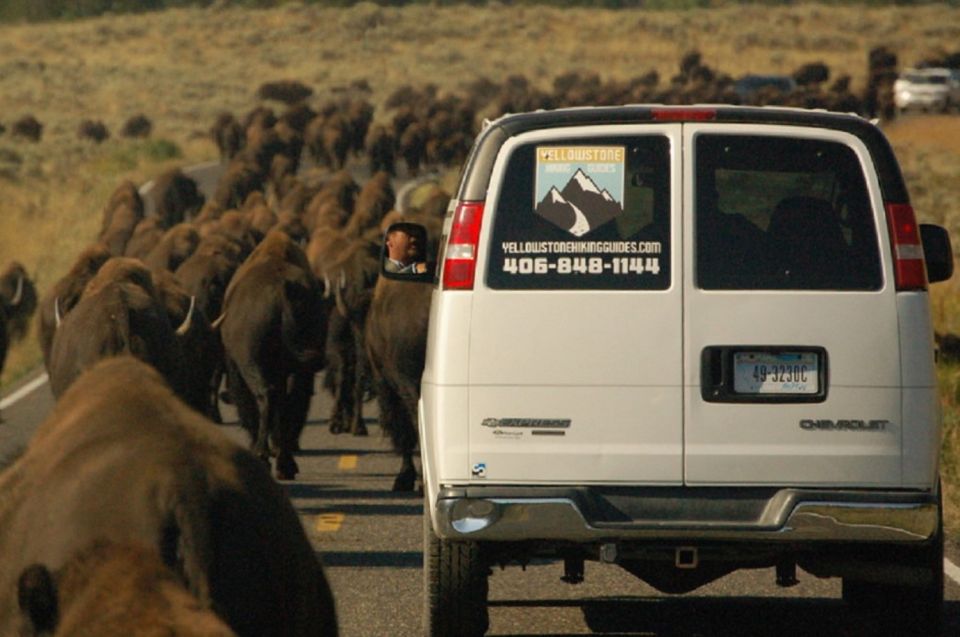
(121, 459)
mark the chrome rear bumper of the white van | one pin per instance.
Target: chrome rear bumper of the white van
(596, 514)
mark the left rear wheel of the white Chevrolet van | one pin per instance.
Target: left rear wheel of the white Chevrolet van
(455, 581)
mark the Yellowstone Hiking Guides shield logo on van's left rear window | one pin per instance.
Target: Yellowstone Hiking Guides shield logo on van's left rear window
(580, 188)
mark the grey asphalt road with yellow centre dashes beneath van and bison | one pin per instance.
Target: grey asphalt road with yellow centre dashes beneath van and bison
(370, 541)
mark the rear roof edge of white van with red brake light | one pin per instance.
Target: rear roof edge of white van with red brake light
(479, 165)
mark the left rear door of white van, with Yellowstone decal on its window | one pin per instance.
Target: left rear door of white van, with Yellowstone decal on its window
(576, 324)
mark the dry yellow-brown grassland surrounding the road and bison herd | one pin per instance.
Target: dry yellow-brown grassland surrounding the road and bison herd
(182, 67)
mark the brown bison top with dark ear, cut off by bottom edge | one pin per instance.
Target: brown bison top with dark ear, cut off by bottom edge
(113, 589)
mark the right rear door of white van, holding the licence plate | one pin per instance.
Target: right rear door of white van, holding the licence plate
(790, 318)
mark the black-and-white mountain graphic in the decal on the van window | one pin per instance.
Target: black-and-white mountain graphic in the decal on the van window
(580, 207)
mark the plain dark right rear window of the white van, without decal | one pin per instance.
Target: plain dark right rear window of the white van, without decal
(777, 213)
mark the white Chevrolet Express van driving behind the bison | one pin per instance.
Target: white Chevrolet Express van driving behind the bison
(684, 340)
